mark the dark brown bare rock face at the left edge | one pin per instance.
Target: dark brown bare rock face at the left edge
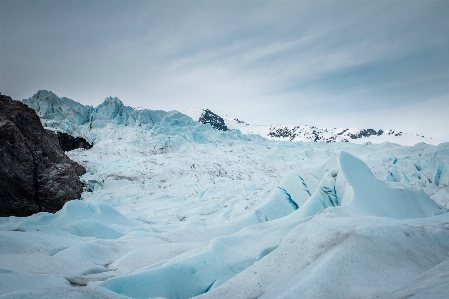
(35, 174)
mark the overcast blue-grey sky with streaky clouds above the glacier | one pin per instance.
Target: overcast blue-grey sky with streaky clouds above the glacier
(364, 64)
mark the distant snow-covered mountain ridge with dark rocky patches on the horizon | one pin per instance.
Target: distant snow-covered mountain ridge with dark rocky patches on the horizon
(305, 132)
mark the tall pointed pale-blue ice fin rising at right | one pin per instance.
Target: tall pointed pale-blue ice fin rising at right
(347, 181)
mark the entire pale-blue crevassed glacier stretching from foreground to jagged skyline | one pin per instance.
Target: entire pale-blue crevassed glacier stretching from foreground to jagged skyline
(175, 209)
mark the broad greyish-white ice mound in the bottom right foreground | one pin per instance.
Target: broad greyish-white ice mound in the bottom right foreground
(343, 257)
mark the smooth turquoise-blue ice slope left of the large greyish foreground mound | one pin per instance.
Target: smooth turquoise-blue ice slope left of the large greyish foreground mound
(197, 271)
